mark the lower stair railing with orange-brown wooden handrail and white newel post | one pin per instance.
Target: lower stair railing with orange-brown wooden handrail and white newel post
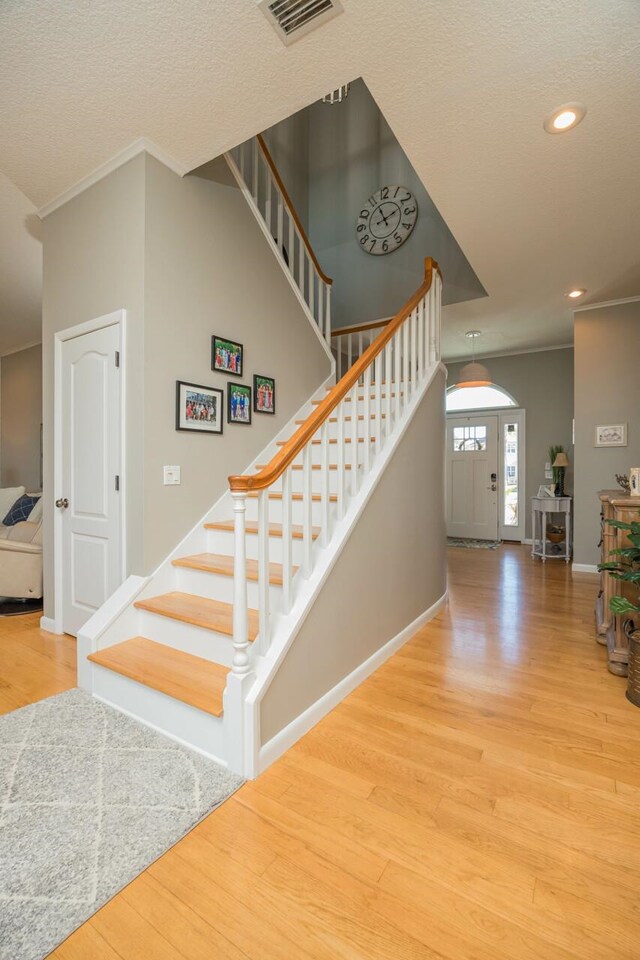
(385, 377)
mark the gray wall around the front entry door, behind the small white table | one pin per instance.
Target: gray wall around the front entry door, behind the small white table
(542, 384)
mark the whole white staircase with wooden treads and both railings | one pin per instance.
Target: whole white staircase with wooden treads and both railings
(192, 649)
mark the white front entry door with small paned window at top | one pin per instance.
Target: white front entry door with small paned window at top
(472, 477)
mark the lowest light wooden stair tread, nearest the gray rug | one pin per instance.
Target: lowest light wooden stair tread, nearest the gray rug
(182, 676)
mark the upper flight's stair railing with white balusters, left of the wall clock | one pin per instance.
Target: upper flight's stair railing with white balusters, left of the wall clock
(253, 166)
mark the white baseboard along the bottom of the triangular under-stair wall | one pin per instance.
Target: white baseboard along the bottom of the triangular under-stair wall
(285, 739)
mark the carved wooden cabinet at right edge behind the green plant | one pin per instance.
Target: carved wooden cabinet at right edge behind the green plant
(614, 505)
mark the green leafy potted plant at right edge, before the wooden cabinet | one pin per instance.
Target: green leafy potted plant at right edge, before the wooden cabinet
(626, 567)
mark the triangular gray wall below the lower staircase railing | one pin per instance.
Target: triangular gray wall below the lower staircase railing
(395, 558)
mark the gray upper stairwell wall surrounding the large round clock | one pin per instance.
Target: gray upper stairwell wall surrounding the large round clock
(346, 152)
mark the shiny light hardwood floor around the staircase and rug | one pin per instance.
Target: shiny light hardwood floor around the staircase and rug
(476, 799)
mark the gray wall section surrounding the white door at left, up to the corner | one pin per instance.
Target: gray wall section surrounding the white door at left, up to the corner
(93, 250)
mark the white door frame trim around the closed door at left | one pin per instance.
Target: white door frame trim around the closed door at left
(117, 318)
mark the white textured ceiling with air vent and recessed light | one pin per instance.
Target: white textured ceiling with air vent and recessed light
(465, 87)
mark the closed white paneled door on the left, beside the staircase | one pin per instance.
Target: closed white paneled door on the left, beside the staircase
(89, 498)
